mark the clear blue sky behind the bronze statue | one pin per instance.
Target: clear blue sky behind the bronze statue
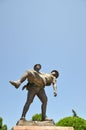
(49, 32)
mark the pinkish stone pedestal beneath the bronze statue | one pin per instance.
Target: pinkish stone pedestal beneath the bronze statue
(38, 125)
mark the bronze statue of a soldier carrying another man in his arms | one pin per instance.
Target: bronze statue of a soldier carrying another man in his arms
(35, 86)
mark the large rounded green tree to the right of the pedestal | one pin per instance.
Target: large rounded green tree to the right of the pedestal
(76, 122)
